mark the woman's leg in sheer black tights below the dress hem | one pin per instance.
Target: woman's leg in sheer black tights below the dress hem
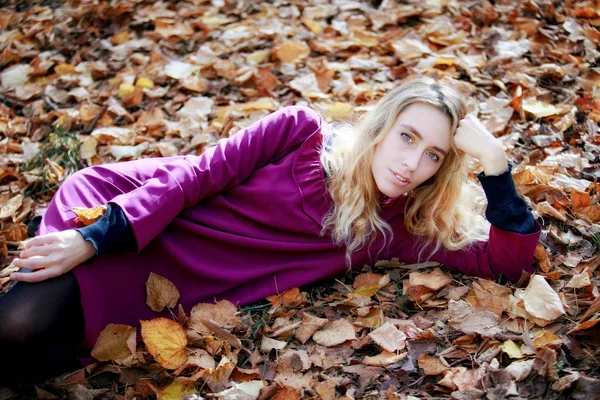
(41, 328)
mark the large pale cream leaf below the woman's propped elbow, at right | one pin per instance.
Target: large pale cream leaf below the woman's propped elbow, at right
(541, 301)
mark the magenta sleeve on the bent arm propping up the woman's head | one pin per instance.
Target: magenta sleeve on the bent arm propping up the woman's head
(505, 253)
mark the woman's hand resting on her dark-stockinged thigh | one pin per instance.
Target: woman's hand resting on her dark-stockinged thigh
(52, 255)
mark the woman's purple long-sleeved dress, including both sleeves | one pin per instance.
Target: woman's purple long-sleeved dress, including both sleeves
(240, 222)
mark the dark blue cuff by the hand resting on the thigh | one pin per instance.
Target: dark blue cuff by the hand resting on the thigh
(111, 233)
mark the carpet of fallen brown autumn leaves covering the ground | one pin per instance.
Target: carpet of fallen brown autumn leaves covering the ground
(90, 82)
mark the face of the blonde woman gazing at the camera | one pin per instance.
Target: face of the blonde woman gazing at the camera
(412, 151)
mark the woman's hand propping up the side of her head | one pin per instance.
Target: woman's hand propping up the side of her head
(475, 140)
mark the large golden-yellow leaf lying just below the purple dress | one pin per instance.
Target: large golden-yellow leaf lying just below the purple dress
(165, 340)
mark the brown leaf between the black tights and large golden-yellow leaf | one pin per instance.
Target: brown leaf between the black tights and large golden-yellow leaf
(116, 342)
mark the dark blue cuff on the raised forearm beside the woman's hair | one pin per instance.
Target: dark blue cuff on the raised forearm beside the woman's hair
(506, 209)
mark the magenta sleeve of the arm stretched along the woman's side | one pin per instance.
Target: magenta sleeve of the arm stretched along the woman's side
(186, 180)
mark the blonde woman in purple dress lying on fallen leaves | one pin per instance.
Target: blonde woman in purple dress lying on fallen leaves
(280, 204)
